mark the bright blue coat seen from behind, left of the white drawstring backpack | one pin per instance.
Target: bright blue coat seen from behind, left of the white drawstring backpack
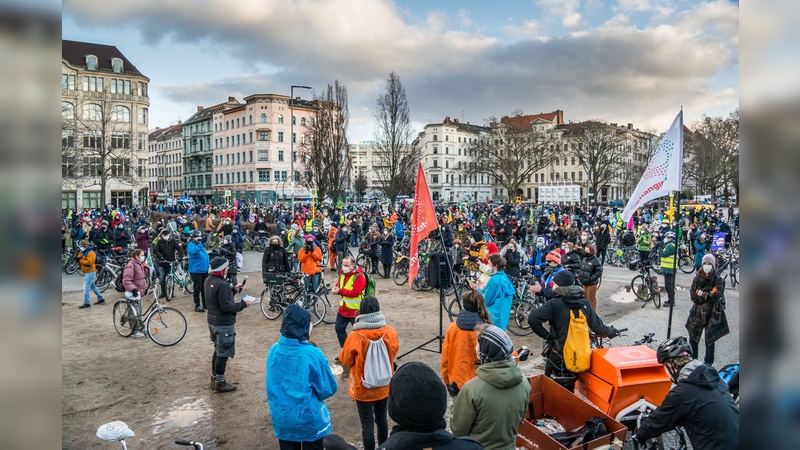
(299, 379)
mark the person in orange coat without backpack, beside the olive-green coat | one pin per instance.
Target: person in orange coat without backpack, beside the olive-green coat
(460, 340)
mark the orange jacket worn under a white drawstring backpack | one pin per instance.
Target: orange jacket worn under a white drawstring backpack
(355, 351)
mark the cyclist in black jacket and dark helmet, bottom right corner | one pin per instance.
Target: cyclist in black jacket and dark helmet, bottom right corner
(699, 402)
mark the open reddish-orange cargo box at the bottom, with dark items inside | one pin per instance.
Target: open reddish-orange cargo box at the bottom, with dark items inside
(549, 398)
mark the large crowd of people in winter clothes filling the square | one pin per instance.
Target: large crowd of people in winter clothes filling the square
(563, 247)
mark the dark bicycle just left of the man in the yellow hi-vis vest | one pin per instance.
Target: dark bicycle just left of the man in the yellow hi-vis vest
(287, 288)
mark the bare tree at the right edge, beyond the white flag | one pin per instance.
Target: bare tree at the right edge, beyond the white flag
(712, 155)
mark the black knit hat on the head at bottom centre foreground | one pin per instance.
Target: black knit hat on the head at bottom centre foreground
(417, 398)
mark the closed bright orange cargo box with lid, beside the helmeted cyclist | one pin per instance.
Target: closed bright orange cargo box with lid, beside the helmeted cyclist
(621, 376)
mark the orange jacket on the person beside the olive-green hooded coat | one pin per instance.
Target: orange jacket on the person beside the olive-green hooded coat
(458, 355)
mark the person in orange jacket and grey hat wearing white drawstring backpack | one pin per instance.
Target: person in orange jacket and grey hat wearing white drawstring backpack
(370, 325)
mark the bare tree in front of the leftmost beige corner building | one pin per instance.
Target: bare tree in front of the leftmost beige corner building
(97, 145)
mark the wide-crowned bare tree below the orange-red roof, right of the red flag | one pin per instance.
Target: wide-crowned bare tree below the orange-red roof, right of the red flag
(510, 154)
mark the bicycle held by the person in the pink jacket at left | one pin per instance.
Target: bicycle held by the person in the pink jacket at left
(164, 325)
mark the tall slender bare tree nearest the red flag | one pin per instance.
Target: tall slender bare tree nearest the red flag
(394, 159)
